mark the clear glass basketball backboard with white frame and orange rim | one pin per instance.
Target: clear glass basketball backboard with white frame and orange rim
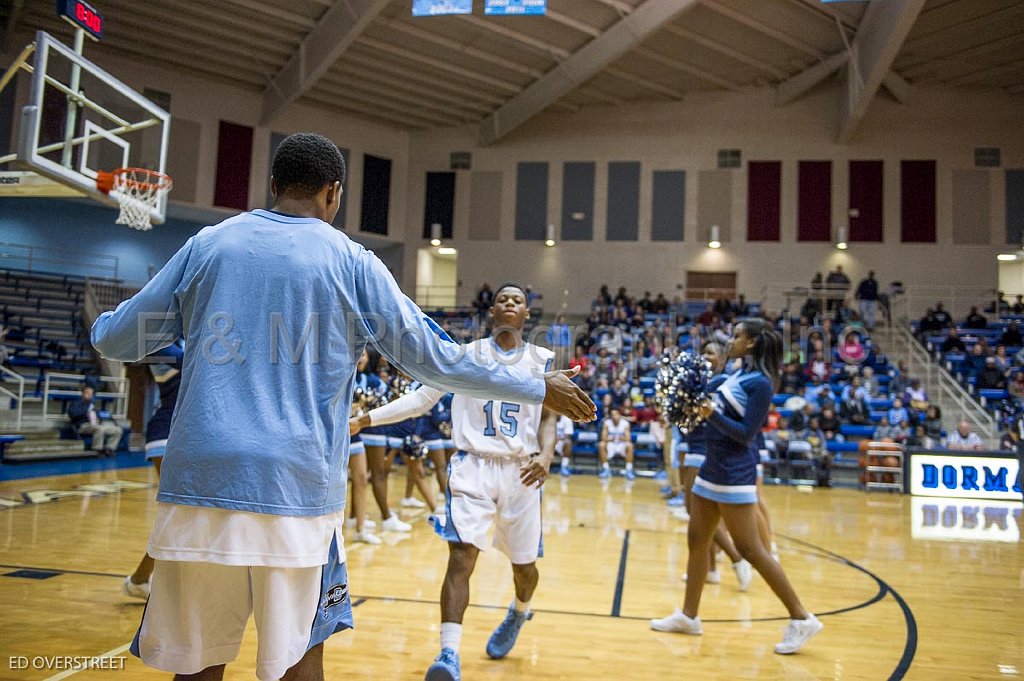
(77, 121)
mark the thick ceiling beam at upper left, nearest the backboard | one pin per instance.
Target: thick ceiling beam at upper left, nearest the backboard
(335, 31)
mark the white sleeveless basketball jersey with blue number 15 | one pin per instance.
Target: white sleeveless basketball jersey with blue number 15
(493, 428)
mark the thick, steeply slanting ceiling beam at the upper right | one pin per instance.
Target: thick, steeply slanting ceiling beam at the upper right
(882, 32)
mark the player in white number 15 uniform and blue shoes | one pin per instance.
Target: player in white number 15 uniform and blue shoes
(504, 453)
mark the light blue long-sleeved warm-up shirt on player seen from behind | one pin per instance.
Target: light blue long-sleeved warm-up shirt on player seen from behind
(276, 311)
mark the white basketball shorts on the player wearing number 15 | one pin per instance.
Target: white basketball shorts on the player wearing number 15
(485, 493)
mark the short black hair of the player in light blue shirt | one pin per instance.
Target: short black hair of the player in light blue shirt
(306, 163)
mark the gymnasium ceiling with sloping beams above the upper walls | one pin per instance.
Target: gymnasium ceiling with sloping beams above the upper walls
(371, 58)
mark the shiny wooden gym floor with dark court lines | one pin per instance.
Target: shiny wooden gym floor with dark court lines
(895, 605)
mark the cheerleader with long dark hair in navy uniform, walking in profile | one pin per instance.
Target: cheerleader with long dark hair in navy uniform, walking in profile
(726, 489)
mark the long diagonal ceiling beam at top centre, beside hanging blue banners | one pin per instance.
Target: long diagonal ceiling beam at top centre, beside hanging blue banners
(582, 66)
